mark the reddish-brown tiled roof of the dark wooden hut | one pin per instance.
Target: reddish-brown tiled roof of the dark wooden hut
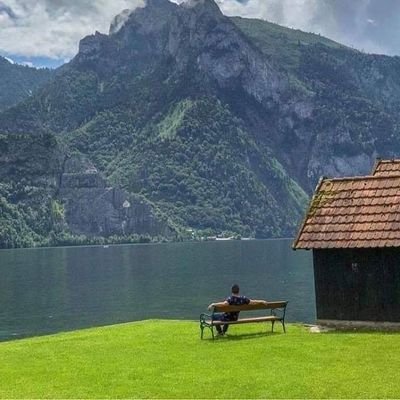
(355, 212)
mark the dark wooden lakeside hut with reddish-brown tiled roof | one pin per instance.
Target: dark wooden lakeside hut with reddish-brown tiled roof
(353, 228)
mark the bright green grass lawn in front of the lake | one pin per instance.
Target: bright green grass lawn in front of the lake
(166, 359)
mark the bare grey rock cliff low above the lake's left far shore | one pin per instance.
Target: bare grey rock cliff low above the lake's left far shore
(95, 208)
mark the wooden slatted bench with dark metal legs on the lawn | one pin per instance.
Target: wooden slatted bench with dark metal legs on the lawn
(277, 313)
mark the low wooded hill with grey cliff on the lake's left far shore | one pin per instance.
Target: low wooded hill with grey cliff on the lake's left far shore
(44, 191)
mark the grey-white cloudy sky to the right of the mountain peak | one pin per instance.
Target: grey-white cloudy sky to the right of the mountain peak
(369, 25)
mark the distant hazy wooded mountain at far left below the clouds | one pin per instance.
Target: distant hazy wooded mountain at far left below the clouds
(18, 82)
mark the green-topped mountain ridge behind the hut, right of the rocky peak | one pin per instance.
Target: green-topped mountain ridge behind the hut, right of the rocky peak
(349, 112)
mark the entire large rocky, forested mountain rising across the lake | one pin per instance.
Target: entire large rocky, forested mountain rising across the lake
(183, 120)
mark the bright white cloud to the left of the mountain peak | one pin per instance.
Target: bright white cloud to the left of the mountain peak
(53, 28)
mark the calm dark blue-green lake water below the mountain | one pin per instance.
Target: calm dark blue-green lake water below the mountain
(57, 289)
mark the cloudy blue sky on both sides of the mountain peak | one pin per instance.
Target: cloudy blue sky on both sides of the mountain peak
(47, 32)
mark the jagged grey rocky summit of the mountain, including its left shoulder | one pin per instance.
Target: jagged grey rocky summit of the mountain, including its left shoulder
(193, 35)
